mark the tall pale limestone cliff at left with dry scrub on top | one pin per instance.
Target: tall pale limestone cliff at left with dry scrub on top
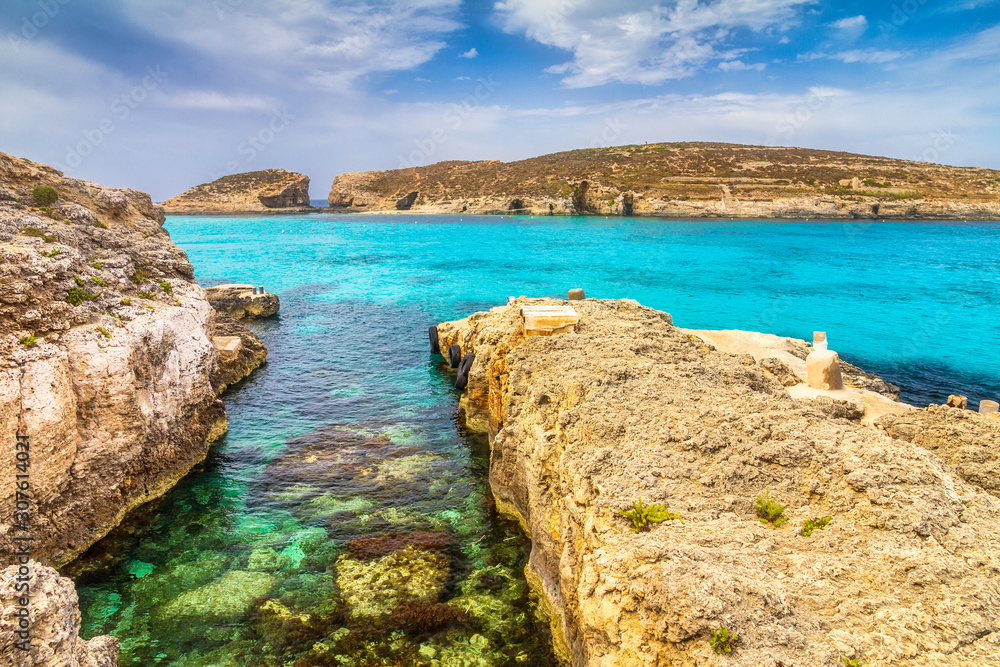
(105, 358)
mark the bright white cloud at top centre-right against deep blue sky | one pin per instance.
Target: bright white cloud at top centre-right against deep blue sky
(631, 42)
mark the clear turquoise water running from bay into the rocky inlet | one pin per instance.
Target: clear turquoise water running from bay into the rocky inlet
(345, 465)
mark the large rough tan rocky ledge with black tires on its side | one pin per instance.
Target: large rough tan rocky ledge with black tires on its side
(627, 408)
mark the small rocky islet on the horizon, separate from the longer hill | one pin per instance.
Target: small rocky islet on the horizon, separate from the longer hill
(252, 192)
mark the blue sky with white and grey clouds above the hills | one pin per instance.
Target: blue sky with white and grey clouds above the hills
(162, 95)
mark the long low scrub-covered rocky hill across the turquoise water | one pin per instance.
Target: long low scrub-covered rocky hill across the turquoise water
(682, 180)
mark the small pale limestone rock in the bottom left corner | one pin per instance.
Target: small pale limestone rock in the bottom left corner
(54, 623)
